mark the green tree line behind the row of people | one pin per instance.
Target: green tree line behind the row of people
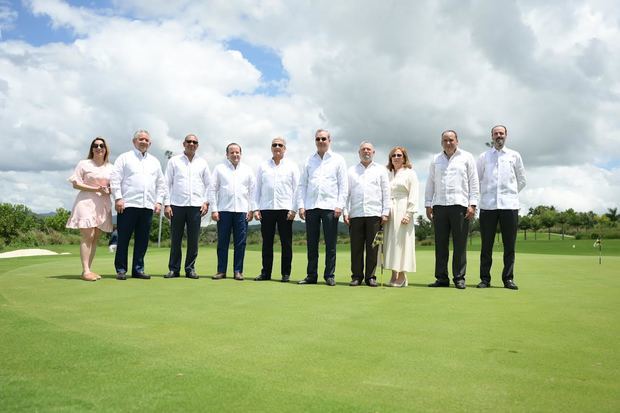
(20, 226)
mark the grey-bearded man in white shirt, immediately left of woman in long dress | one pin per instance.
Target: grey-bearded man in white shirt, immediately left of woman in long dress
(368, 208)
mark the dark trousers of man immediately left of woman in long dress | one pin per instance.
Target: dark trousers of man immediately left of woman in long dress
(362, 231)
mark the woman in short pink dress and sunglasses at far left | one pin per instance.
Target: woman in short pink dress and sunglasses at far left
(92, 210)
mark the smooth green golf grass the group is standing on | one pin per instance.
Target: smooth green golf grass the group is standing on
(203, 345)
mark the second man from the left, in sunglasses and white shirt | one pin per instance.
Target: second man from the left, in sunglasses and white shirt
(188, 179)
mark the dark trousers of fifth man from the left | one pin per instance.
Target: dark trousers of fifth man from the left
(314, 219)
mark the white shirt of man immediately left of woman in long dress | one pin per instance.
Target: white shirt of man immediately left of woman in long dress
(369, 191)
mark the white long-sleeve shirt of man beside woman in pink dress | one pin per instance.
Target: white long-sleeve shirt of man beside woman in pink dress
(138, 180)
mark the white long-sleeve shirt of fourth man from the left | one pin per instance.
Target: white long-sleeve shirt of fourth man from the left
(276, 185)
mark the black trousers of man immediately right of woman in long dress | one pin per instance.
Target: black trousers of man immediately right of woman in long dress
(450, 220)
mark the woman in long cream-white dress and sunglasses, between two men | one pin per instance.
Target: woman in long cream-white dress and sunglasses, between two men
(399, 230)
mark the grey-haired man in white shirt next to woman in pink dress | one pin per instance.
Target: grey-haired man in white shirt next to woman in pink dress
(138, 187)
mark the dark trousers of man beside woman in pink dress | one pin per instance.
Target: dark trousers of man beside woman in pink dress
(133, 221)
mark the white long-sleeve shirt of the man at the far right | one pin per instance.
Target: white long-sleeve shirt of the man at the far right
(502, 177)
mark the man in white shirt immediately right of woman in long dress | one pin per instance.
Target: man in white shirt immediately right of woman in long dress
(450, 198)
